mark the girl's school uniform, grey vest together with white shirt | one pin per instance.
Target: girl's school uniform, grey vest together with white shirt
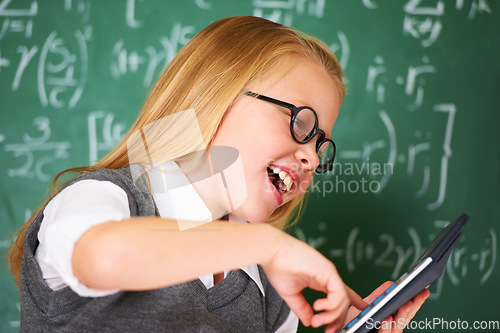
(53, 300)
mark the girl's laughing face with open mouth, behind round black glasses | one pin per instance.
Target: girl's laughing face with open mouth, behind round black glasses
(260, 131)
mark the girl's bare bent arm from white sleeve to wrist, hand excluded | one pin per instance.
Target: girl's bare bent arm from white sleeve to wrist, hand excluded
(147, 253)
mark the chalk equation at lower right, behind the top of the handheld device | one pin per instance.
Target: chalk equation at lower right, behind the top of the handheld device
(385, 250)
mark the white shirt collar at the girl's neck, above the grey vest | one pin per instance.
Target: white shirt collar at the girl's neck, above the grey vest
(177, 199)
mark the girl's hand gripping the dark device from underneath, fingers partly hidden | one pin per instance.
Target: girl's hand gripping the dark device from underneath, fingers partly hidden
(396, 323)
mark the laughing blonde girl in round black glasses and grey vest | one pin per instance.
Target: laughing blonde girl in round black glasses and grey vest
(113, 249)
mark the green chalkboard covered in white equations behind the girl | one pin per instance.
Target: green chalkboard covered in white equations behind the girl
(417, 136)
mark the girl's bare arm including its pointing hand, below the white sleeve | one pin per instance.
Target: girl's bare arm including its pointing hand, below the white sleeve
(148, 253)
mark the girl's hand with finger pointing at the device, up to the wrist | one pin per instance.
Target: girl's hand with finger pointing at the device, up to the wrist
(296, 266)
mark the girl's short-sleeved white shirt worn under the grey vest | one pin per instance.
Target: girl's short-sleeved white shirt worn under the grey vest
(87, 203)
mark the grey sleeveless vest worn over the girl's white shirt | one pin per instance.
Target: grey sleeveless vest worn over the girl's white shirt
(233, 305)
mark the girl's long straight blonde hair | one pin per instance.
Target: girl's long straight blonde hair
(207, 75)
